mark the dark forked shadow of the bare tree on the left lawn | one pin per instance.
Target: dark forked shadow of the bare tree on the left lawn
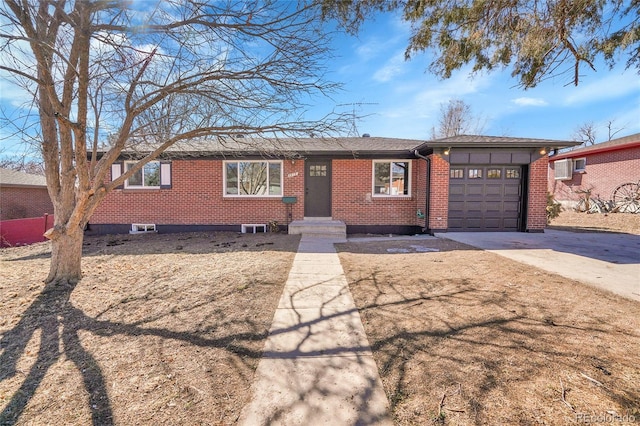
(60, 324)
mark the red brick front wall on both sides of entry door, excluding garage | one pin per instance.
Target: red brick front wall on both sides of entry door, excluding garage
(196, 198)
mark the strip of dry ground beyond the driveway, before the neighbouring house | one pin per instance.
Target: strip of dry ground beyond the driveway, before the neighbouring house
(628, 223)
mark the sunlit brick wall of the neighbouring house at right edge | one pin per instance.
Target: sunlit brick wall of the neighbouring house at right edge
(603, 173)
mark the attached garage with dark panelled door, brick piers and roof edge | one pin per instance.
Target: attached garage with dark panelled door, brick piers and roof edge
(487, 183)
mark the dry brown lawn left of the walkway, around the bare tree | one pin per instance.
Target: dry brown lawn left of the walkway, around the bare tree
(162, 329)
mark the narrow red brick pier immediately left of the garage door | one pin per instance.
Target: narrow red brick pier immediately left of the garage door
(439, 193)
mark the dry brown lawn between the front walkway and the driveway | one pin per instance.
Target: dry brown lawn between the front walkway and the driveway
(465, 337)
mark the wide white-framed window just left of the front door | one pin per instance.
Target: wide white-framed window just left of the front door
(253, 178)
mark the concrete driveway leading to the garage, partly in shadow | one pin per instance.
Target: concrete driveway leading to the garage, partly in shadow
(605, 260)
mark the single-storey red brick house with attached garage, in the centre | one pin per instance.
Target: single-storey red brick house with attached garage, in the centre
(370, 184)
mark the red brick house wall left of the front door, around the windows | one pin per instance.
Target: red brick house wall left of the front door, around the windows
(196, 197)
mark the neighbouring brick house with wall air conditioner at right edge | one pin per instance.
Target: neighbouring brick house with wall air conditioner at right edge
(600, 168)
